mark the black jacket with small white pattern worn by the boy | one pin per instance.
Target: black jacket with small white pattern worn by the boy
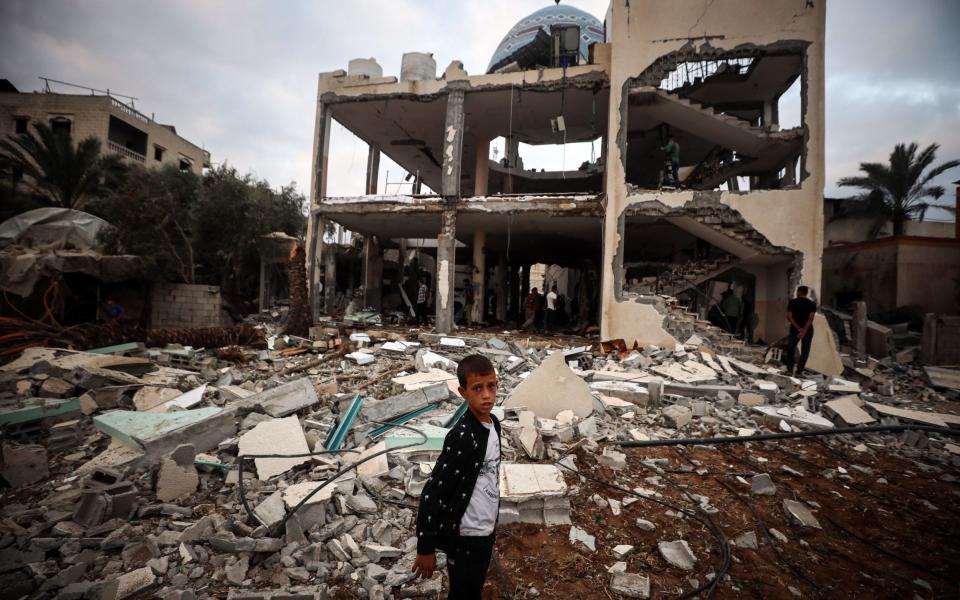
(447, 493)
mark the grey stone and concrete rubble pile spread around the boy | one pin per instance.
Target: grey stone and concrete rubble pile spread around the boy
(177, 473)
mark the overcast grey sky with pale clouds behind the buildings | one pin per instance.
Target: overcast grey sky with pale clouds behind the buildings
(239, 77)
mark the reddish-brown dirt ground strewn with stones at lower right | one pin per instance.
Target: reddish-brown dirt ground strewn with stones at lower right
(888, 531)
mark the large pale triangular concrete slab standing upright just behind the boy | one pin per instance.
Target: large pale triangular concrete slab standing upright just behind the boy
(552, 387)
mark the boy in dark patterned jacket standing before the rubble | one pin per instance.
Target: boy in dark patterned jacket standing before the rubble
(460, 503)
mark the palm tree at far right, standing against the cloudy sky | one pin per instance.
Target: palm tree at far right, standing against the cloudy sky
(897, 192)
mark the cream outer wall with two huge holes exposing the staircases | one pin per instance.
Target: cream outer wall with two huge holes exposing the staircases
(643, 32)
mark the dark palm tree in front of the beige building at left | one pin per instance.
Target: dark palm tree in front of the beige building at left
(63, 174)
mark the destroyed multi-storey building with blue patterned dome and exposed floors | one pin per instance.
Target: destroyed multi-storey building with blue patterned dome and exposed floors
(749, 215)
